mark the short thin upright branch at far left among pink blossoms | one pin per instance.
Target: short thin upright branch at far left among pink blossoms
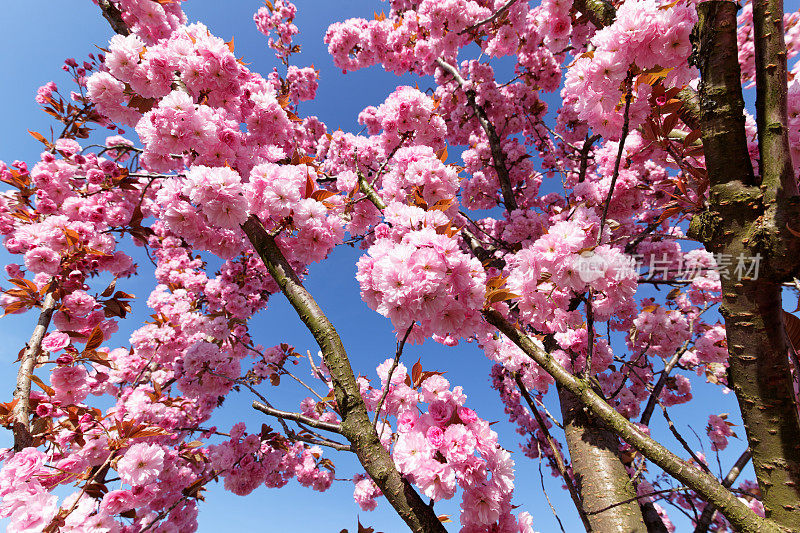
(22, 393)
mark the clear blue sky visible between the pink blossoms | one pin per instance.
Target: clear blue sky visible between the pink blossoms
(36, 37)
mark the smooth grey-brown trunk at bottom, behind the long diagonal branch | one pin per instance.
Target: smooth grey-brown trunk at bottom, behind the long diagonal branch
(599, 473)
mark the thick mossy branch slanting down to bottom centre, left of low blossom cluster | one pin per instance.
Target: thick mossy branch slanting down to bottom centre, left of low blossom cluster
(356, 426)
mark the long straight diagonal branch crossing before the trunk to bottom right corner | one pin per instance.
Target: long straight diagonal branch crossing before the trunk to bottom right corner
(707, 486)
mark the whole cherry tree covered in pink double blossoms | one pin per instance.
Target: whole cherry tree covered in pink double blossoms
(540, 241)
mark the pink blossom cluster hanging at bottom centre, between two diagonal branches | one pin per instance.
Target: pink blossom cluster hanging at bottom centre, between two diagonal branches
(442, 447)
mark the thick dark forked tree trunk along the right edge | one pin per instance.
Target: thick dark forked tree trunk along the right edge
(745, 220)
